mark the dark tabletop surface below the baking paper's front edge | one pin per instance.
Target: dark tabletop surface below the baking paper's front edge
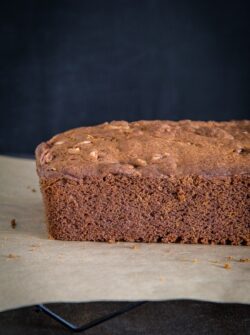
(168, 317)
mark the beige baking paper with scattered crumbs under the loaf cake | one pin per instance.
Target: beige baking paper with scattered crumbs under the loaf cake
(34, 269)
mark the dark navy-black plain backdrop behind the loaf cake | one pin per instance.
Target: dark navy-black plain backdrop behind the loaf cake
(70, 63)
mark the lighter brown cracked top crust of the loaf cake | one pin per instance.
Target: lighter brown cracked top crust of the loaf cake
(148, 148)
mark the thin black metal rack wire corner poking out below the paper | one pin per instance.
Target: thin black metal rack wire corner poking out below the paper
(77, 329)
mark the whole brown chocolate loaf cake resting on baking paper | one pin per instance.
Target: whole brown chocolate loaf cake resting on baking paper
(148, 181)
